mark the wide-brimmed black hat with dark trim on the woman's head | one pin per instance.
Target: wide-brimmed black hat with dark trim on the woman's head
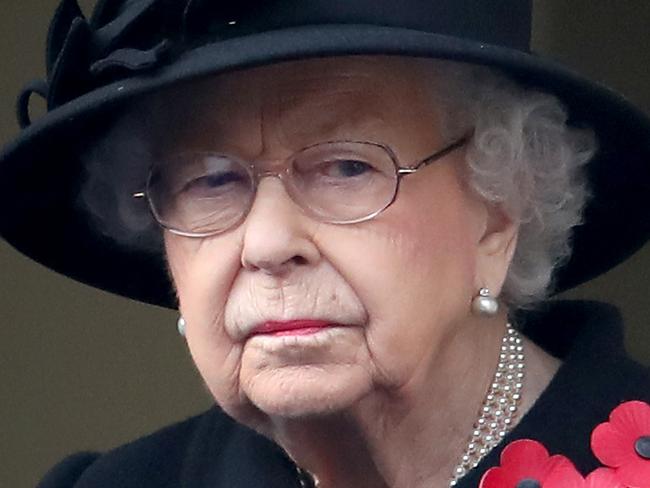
(131, 47)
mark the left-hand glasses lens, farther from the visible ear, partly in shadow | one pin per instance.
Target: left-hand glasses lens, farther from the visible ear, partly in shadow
(200, 193)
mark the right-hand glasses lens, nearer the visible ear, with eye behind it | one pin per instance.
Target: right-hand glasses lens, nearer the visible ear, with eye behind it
(344, 181)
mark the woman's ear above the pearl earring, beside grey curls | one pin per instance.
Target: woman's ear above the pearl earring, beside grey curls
(495, 249)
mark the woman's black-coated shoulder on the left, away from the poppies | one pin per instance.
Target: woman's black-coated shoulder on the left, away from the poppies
(177, 455)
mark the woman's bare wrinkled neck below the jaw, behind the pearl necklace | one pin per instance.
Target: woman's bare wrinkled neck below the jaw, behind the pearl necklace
(413, 436)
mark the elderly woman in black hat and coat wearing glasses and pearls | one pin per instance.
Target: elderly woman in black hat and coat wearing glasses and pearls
(362, 208)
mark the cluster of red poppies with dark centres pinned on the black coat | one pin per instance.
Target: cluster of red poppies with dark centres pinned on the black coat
(622, 445)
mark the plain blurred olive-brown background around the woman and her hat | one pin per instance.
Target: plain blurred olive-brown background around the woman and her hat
(83, 370)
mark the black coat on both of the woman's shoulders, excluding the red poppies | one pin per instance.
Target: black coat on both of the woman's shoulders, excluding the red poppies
(212, 451)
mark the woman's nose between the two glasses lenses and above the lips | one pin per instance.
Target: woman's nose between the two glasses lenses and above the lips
(277, 234)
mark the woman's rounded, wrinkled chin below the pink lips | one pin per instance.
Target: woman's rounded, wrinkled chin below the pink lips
(307, 390)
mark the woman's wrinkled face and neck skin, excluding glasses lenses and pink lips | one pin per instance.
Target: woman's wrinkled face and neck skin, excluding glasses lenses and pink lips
(401, 283)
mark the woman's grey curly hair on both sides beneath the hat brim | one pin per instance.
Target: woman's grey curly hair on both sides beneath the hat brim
(523, 157)
